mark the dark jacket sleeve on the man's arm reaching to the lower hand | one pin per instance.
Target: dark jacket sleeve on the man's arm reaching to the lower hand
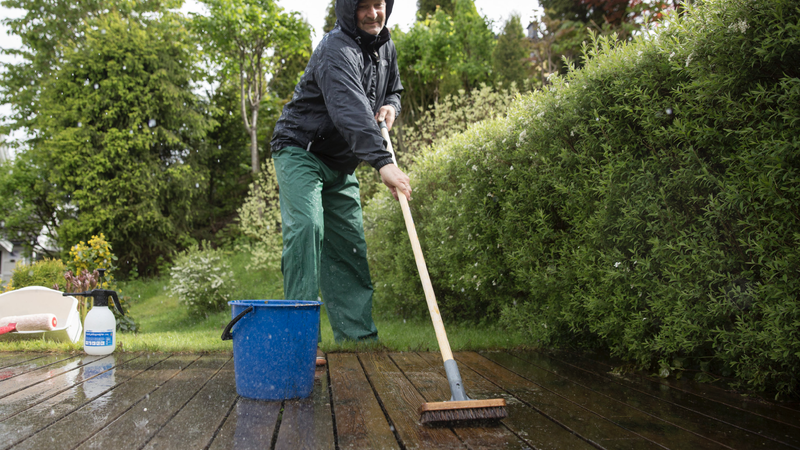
(339, 79)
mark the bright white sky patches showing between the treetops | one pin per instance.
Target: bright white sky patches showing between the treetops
(314, 11)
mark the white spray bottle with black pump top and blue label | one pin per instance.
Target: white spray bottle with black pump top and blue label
(100, 327)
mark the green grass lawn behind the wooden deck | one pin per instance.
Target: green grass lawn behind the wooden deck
(166, 326)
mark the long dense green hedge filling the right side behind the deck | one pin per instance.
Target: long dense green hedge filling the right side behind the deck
(648, 204)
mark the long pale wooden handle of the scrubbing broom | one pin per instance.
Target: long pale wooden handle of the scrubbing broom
(430, 297)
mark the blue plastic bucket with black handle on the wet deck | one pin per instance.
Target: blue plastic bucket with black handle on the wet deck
(274, 347)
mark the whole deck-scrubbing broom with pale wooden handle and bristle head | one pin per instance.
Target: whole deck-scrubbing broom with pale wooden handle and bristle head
(460, 407)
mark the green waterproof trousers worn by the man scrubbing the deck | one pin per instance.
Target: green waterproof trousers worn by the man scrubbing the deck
(323, 242)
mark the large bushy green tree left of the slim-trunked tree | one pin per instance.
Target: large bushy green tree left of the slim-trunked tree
(119, 129)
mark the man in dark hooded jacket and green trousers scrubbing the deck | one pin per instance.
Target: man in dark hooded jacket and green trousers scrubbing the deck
(331, 124)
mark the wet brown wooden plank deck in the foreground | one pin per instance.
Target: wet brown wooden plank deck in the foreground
(369, 401)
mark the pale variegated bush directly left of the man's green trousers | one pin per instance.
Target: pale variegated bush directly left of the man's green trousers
(260, 220)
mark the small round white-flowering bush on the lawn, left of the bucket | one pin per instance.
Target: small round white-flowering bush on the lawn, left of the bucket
(201, 279)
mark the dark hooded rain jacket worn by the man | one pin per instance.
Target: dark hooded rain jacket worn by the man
(350, 75)
